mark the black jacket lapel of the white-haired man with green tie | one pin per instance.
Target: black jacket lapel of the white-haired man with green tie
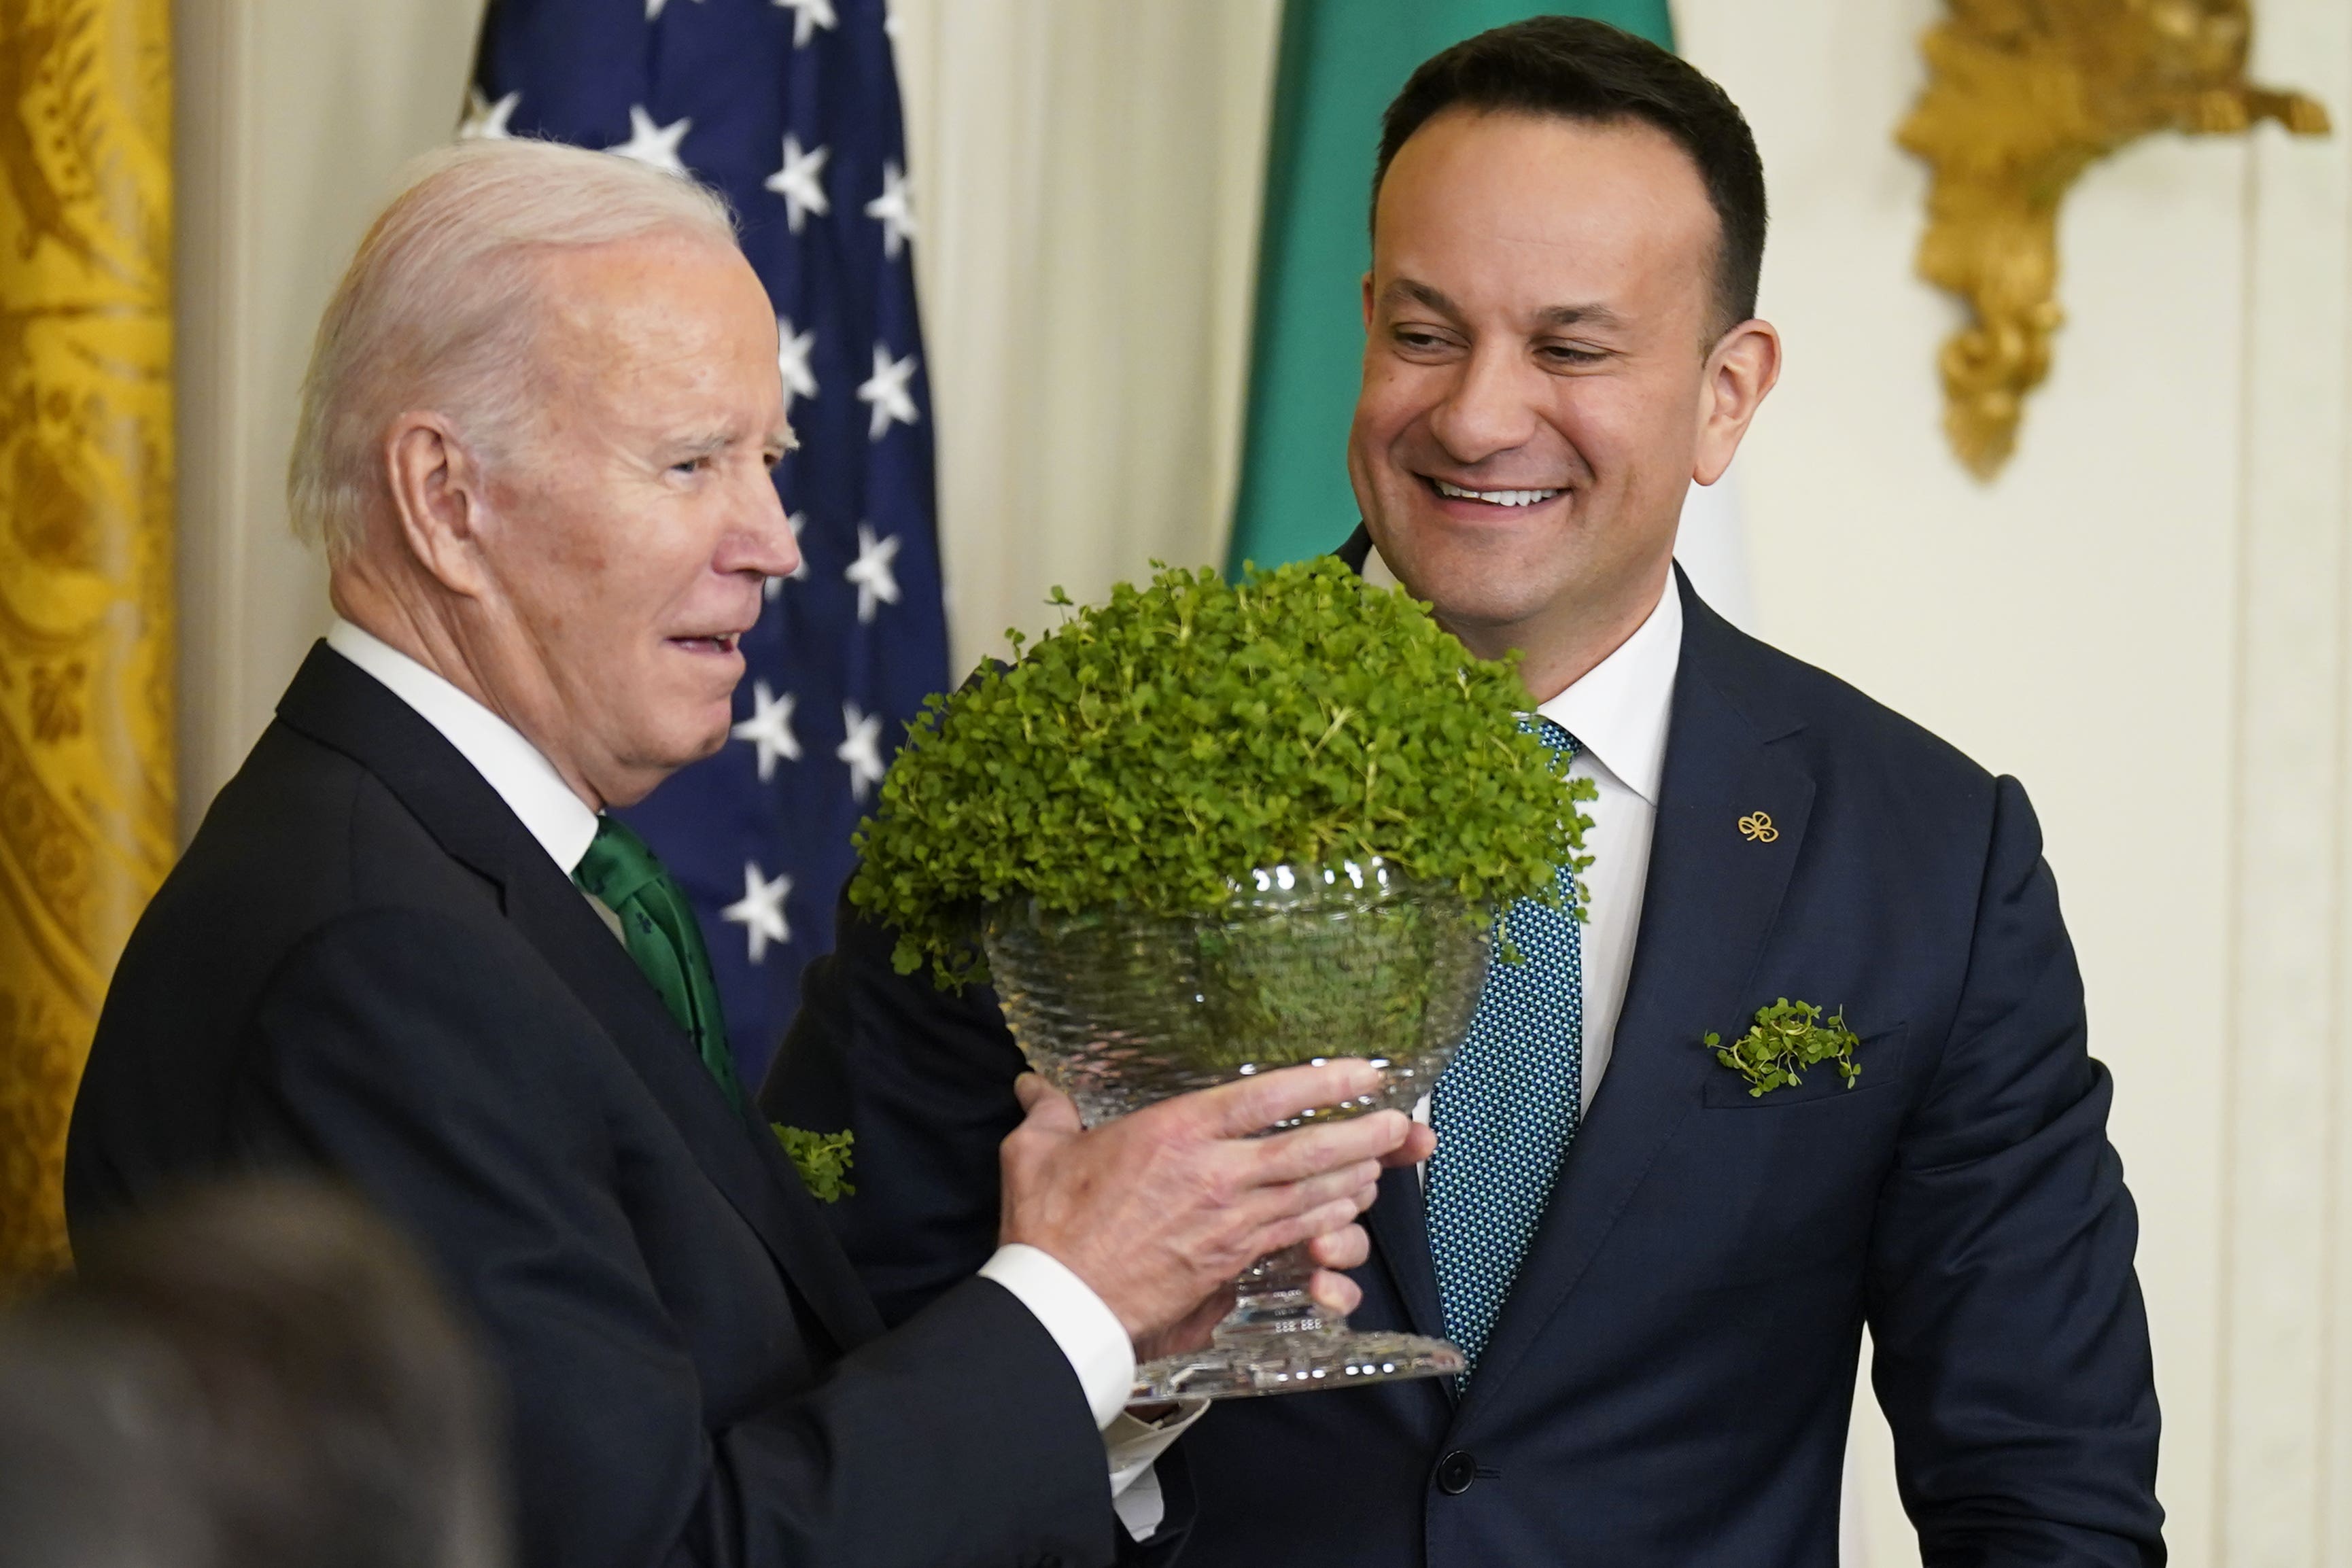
(338, 704)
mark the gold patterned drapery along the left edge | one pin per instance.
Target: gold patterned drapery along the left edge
(86, 554)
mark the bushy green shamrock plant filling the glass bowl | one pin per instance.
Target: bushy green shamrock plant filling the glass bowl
(1154, 751)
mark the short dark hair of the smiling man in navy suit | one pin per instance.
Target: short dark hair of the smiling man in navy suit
(1582, 69)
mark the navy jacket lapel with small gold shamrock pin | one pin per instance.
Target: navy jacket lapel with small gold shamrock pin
(1706, 911)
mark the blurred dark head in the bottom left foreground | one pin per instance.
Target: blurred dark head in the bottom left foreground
(258, 1376)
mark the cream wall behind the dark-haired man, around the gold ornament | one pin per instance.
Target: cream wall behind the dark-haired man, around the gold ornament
(2149, 622)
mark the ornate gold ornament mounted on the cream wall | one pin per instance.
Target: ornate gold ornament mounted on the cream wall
(2022, 98)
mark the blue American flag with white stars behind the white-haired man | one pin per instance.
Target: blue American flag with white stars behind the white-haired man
(789, 107)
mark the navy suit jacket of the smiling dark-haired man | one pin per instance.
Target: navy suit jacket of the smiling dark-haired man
(1673, 1372)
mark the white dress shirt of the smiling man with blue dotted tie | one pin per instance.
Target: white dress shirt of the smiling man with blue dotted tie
(1619, 716)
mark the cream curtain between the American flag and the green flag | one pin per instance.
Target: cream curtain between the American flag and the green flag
(1088, 199)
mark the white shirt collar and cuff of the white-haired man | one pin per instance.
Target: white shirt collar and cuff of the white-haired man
(1081, 1322)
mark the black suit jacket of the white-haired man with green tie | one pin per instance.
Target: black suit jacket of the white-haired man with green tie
(368, 965)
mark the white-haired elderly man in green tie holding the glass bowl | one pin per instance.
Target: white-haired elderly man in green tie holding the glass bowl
(410, 946)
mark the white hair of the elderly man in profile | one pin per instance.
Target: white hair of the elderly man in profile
(439, 307)
